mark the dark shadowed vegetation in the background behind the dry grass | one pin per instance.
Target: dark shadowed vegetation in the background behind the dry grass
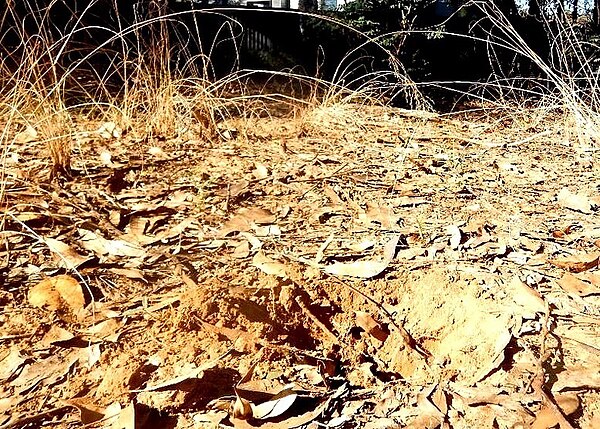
(436, 41)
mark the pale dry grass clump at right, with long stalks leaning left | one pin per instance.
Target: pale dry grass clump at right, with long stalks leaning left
(566, 85)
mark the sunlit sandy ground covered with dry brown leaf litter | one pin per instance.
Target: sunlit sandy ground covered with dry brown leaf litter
(361, 267)
